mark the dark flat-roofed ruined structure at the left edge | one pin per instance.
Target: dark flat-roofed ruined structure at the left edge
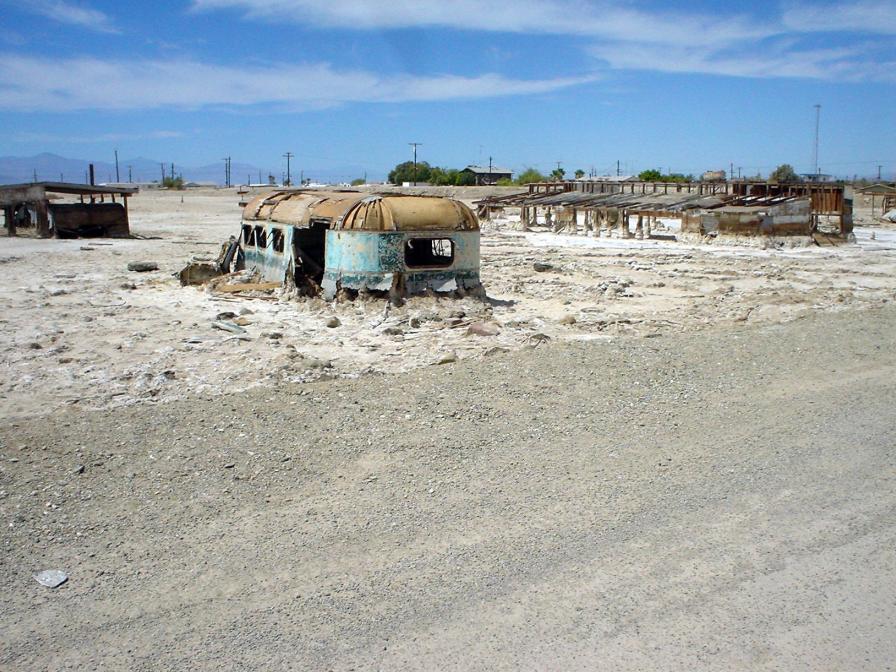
(96, 214)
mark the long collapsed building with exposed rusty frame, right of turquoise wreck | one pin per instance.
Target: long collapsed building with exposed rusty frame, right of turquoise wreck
(822, 211)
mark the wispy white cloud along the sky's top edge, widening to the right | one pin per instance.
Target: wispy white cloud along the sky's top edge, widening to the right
(624, 36)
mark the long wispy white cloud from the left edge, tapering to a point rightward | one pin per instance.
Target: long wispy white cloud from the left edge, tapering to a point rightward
(95, 84)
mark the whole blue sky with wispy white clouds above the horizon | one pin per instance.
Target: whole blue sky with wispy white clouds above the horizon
(345, 85)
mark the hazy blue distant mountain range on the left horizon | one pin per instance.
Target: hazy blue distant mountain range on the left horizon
(54, 168)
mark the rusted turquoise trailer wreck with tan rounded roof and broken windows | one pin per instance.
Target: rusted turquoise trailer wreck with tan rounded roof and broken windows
(343, 241)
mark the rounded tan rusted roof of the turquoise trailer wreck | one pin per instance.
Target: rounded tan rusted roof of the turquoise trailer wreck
(358, 211)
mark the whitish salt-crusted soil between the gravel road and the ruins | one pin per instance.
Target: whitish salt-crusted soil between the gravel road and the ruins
(79, 329)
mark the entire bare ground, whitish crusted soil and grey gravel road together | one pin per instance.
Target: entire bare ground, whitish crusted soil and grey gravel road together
(697, 472)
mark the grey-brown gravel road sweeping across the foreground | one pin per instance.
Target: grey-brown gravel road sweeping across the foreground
(719, 500)
